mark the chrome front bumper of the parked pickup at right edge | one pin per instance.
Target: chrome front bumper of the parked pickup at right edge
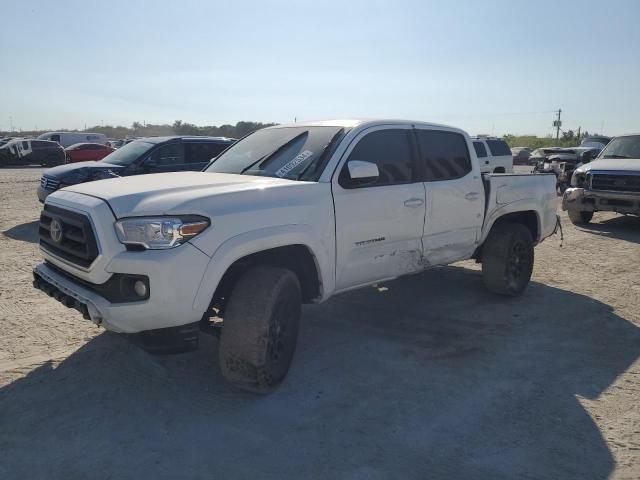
(585, 200)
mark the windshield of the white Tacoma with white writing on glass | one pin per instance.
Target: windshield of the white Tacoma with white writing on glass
(296, 153)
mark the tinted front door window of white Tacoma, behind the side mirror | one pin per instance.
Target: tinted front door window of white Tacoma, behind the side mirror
(390, 151)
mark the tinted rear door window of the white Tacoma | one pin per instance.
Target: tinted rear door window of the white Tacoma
(444, 155)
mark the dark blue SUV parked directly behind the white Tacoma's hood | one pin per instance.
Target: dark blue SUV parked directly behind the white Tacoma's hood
(142, 156)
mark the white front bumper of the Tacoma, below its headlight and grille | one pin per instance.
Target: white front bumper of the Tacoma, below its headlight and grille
(174, 279)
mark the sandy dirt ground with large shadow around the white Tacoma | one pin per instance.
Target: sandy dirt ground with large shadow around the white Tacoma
(429, 376)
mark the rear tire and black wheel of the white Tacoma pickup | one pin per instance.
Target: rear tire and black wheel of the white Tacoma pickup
(507, 259)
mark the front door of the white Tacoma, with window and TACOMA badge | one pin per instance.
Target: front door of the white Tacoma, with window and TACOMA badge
(379, 225)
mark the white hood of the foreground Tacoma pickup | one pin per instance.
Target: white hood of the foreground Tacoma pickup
(170, 193)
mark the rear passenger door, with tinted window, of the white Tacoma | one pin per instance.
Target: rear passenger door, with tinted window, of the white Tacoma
(454, 195)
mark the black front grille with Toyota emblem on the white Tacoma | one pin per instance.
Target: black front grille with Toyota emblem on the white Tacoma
(76, 242)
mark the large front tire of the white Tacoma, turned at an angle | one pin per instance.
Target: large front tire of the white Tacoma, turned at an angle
(260, 329)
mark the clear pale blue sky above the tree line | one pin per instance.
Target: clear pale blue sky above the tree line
(486, 66)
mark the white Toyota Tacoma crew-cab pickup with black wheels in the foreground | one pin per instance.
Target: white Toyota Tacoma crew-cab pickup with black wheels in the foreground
(288, 215)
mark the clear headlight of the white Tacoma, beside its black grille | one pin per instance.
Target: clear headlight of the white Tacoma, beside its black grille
(159, 233)
